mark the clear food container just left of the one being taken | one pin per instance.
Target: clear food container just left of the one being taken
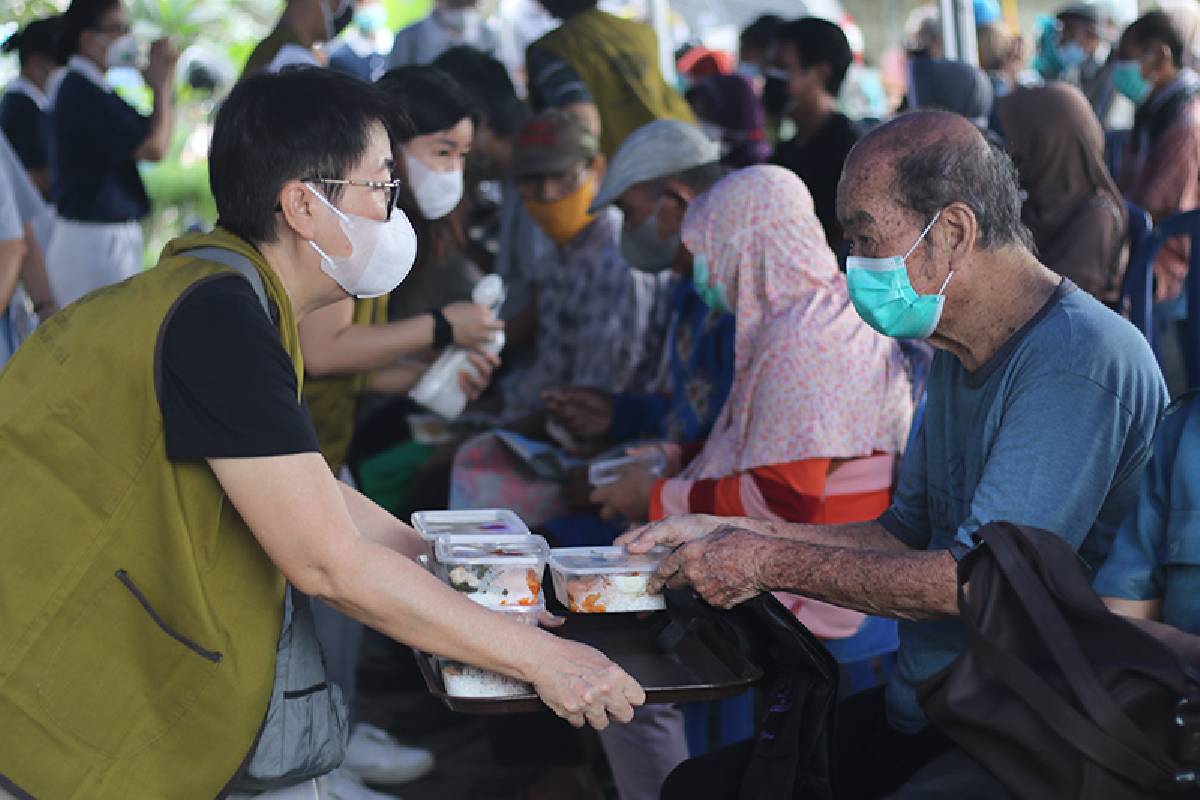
(496, 572)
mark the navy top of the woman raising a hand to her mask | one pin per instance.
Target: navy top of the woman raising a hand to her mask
(94, 177)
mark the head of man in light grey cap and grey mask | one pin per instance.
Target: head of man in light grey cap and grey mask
(655, 175)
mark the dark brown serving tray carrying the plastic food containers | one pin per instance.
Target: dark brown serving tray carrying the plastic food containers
(681, 665)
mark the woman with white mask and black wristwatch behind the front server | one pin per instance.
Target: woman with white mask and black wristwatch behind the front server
(351, 347)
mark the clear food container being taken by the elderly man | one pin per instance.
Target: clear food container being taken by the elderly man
(605, 580)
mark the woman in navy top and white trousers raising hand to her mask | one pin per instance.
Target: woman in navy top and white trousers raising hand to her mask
(98, 140)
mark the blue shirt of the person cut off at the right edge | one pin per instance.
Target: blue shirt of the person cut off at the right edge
(1157, 551)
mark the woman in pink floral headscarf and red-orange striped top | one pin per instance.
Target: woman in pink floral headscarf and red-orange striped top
(820, 406)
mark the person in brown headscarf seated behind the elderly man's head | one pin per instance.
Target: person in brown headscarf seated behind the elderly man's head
(1073, 209)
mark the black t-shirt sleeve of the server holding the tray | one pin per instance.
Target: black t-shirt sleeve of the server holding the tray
(227, 388)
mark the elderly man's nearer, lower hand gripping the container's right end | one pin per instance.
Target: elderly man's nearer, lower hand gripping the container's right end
(725, 568)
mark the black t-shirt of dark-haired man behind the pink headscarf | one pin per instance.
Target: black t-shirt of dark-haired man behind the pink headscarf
(819, 163)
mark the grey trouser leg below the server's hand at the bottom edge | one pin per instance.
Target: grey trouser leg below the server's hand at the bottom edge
(644, 753)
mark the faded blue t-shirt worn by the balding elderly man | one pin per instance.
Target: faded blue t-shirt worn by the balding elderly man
(1053, 432)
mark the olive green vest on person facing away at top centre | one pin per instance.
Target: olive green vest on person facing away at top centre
(619, 61)
